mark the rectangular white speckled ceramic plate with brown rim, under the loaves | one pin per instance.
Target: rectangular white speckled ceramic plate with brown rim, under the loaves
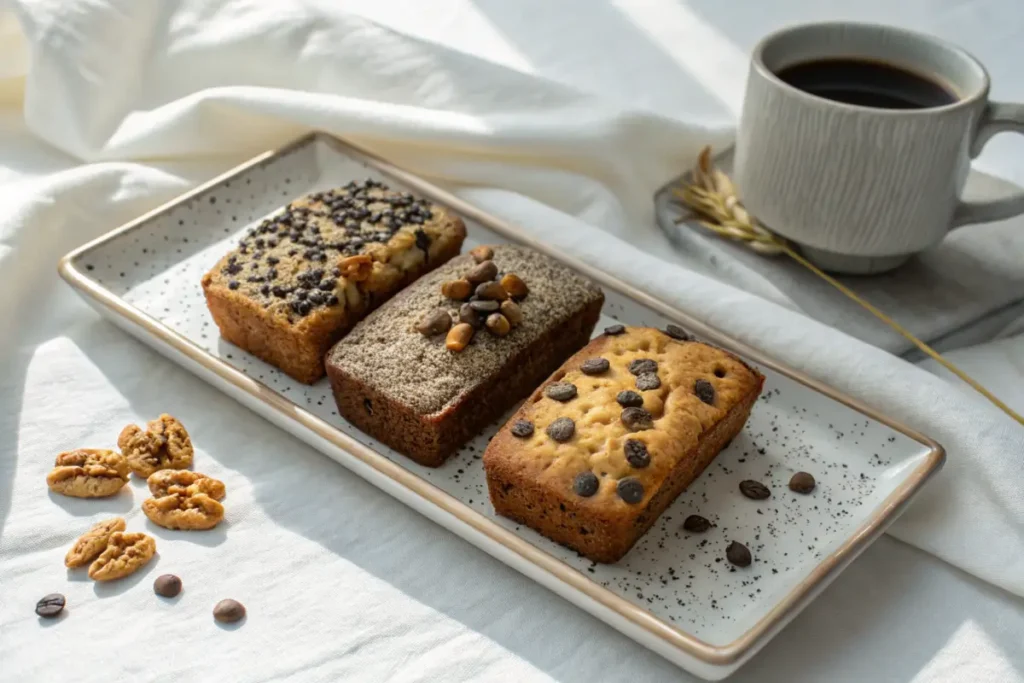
(675, 592)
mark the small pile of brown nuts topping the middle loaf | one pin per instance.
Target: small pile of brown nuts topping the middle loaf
(490, 302)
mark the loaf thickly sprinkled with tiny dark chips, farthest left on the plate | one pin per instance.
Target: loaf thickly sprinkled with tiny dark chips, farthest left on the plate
(305, 277)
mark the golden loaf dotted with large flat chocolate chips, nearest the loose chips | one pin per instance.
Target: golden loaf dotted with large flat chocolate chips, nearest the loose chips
(603, 448)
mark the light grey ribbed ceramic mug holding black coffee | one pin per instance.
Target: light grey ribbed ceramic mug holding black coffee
(863, 189)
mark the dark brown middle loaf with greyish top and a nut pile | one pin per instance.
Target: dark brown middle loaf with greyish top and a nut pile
(459, 348)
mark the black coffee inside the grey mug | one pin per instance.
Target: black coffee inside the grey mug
(867, 83)
